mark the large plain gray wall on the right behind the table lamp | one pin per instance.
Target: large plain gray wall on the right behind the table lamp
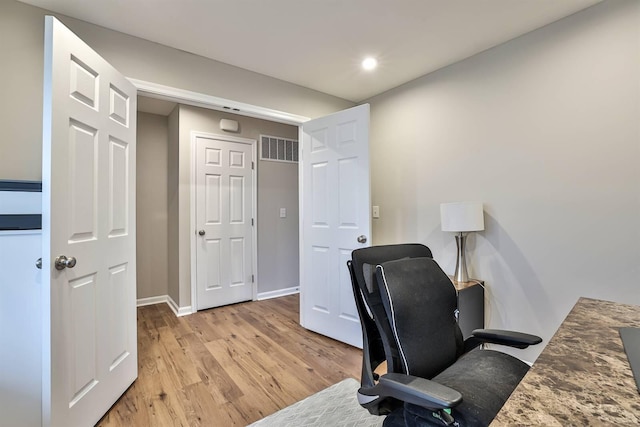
(545, 131)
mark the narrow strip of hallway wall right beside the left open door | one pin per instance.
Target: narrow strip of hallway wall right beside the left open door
(152, 205)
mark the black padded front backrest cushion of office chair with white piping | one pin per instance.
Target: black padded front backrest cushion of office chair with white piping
(420, 302)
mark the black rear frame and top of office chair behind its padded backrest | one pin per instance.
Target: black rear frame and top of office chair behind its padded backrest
(378, 342)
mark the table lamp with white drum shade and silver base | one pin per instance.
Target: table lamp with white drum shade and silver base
(461, 218)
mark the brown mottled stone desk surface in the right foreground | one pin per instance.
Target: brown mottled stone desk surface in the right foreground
(582, 377)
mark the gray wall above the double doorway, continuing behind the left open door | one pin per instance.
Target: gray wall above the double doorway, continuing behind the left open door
(22, 33)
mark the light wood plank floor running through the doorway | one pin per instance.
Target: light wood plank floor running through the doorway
(228, 366)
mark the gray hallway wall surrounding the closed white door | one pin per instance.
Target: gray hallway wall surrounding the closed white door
(277, 239)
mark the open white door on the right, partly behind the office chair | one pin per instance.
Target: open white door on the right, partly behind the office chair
(334, 208)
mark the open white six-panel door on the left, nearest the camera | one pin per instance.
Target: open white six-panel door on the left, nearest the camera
(88, 216)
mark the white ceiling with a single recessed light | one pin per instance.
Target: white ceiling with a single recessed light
(320, 44)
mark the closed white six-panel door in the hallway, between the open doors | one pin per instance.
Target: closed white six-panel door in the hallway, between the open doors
(224, 215)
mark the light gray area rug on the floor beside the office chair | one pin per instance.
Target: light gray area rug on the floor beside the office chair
(334, 406)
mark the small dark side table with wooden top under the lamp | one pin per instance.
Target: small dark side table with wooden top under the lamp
(470, 305)
